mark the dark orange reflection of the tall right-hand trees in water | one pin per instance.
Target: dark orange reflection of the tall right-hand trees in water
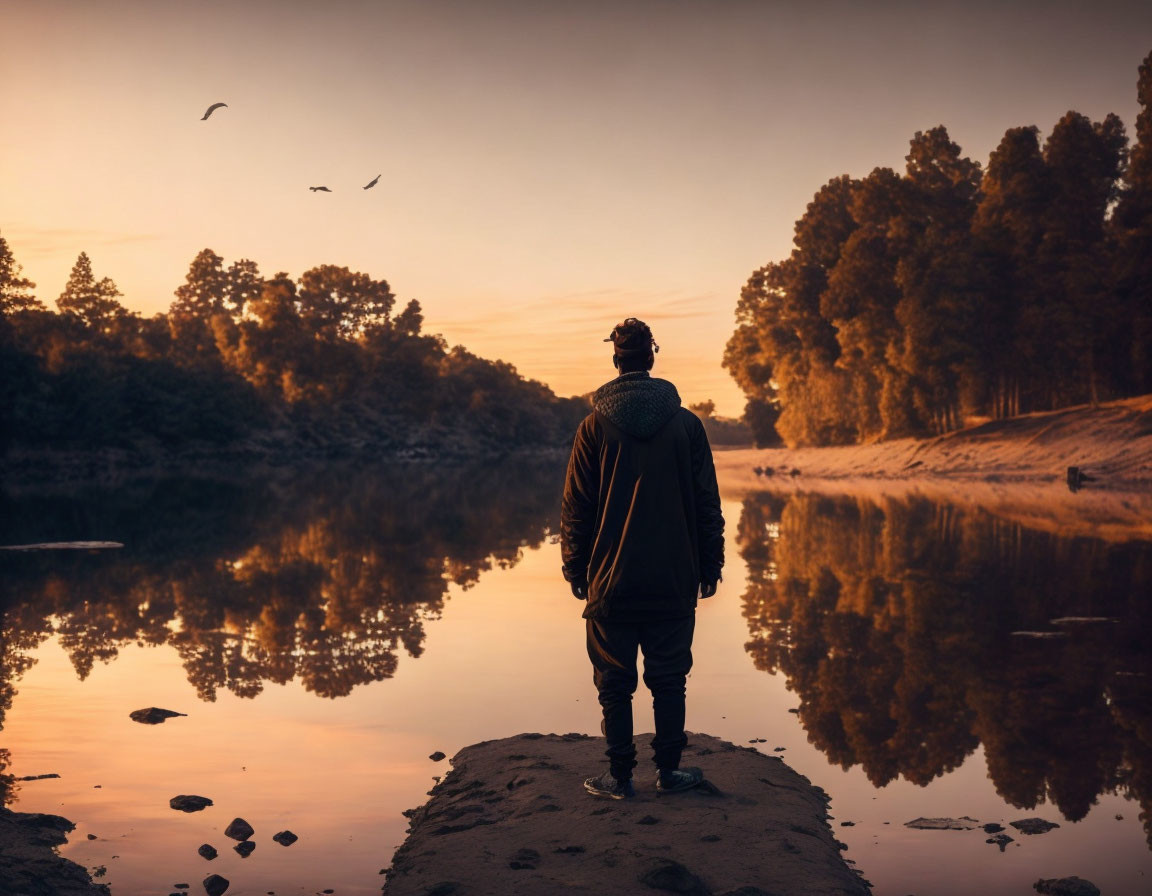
(893, 622)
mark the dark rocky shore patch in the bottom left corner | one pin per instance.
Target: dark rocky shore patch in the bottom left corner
(31, 867)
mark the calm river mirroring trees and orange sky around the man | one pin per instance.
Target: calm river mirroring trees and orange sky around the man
(325, 635)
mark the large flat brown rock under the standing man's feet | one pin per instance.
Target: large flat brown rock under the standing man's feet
(513, 817)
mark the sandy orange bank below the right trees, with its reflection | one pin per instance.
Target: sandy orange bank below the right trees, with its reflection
(1015, 469)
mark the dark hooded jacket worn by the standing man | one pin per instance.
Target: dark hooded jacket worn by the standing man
(641, 520)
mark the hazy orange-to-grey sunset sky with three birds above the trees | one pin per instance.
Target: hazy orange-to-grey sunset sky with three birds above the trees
(548, 169)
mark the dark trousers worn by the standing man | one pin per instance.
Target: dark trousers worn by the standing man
(668, 648)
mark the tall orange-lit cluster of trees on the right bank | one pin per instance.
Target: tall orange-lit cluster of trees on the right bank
(915, 301)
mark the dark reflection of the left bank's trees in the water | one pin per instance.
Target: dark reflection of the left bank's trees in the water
(323, 580)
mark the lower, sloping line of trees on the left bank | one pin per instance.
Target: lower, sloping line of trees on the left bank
(325, 363)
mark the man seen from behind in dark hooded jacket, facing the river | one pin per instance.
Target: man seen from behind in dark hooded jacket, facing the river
(642, 536)
